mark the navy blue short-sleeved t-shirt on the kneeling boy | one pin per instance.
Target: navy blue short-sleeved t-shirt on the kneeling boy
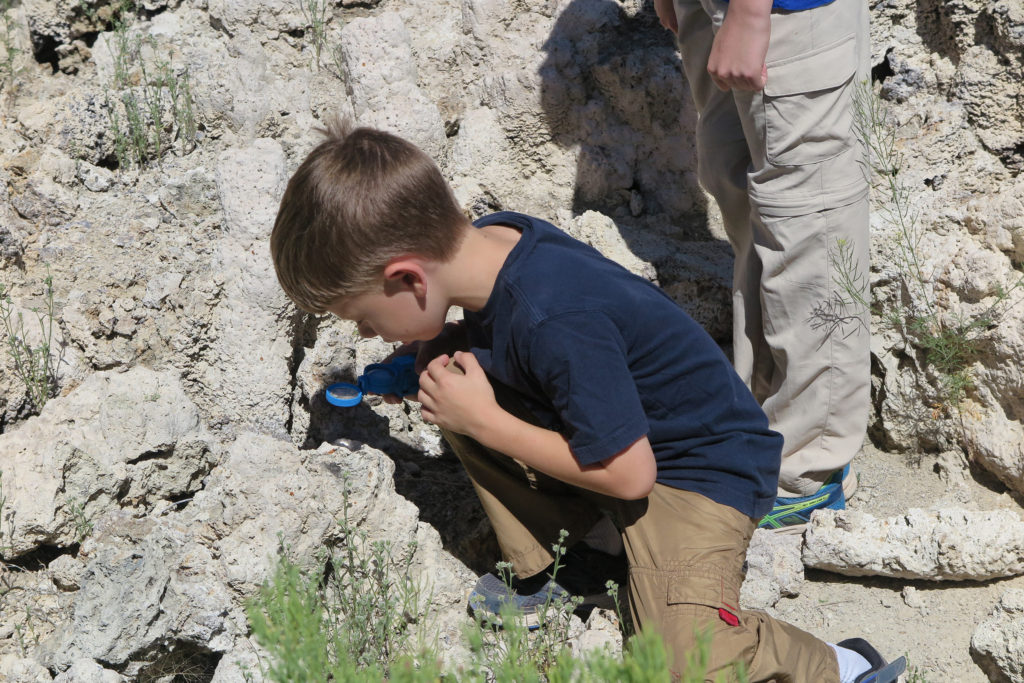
(606, 358)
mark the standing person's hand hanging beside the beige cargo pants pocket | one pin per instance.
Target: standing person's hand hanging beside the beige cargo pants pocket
(738, 56)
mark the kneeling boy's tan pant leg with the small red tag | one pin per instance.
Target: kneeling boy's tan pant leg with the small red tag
(687, 554)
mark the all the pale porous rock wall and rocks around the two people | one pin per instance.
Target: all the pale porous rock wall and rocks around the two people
(189, 430)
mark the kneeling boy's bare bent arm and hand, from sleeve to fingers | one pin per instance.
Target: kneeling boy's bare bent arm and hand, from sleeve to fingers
(465, 404)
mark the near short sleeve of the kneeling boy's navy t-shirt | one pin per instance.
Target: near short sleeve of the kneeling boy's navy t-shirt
(581, 363)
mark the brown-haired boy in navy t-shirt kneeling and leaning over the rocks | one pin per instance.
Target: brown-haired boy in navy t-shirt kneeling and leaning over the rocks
(578, 391)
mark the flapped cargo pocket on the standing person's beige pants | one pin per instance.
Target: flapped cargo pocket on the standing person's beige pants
(808, 105)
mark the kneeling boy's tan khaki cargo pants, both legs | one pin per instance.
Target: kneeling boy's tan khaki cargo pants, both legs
(686, 554)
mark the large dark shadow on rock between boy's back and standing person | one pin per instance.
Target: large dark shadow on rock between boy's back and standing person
(613, 87)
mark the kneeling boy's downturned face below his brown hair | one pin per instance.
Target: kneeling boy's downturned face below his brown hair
(393, 316)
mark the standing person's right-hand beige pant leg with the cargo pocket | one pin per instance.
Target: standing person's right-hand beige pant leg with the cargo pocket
(808, 191)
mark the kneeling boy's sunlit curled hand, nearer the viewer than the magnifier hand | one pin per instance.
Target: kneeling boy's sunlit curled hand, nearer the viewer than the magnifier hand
(457, 402)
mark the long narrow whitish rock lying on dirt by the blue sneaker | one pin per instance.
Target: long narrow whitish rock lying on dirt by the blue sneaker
(943, 545)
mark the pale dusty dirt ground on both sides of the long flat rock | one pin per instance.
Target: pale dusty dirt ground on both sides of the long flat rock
(929, 622)
